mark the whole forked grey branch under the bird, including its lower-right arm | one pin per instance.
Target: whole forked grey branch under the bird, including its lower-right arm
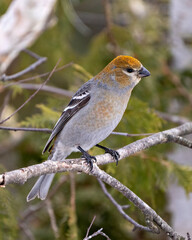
(77, 165)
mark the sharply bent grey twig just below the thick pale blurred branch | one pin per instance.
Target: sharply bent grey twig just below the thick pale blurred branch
(30, 68)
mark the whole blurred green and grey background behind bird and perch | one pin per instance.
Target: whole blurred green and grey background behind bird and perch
(88, 34)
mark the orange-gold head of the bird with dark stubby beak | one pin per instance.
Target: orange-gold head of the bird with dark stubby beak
(125, 71)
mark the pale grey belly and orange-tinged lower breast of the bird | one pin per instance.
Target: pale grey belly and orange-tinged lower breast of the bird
(91, 126)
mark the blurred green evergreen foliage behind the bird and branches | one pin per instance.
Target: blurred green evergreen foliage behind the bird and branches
(148, 173)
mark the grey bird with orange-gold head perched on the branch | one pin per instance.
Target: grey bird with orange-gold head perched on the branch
(92, 114)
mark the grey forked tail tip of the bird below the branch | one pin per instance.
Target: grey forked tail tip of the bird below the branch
(41, 187)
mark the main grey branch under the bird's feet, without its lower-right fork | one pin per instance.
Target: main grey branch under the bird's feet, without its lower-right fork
(21, 175)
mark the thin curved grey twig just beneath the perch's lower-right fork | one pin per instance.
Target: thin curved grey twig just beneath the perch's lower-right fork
(120, 209)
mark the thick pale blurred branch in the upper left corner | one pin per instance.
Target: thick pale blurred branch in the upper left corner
(16, 23)
